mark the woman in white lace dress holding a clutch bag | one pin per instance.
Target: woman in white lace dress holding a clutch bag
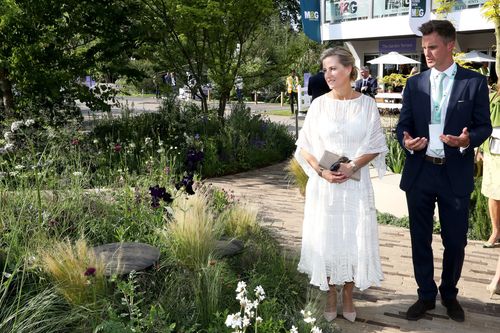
(340, 235)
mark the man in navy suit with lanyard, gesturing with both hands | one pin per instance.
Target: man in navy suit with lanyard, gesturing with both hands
(445, 114)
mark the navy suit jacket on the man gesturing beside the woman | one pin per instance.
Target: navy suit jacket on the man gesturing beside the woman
(468, 106)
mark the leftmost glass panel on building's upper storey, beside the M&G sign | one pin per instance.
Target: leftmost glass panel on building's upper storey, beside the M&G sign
(337, 11)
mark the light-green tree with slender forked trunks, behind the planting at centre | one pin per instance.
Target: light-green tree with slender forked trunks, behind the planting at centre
(208, 38)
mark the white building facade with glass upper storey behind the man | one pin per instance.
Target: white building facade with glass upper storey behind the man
(371, 28)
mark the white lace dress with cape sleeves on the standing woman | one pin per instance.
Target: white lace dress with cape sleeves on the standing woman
(340, 233)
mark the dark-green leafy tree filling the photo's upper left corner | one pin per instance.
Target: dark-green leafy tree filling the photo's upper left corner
(48, 45)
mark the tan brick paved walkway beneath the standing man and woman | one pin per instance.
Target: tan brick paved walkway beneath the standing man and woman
(379, 309)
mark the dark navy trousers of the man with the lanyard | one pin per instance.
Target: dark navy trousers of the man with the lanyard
(431, 186)
